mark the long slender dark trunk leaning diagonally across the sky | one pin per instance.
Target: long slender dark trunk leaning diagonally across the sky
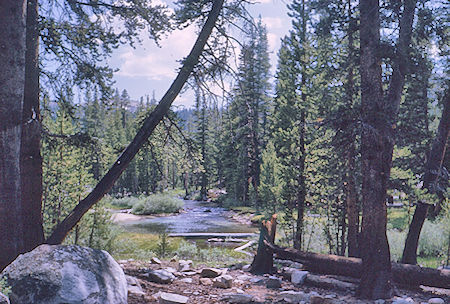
(141, 137)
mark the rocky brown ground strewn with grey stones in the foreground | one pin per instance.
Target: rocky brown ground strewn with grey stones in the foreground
(234, 284)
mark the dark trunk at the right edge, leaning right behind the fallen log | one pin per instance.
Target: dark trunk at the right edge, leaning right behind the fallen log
(432, 169)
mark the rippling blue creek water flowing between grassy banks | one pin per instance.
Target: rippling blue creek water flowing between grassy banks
(196, 217)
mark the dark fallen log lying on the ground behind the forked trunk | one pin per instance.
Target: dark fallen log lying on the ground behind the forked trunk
(403, 274)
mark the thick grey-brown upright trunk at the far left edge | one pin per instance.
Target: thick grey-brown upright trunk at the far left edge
(12, 79)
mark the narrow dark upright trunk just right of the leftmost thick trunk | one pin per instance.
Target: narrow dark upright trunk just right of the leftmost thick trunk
(30, 147)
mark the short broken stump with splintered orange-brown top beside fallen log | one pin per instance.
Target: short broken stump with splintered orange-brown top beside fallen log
(263, 260)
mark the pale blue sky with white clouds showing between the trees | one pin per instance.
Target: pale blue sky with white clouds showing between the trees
(147, 67)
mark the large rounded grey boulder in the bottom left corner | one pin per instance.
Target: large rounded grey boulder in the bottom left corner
(66, 274)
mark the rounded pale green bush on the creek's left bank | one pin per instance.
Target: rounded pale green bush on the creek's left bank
(156, 204)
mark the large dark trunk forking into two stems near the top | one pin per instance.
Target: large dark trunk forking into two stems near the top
(379, 115)
